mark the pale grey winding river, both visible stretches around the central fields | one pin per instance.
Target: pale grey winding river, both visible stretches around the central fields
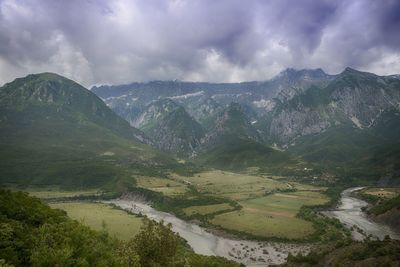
(253, 253)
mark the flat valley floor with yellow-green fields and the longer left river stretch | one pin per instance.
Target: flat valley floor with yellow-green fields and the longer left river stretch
(272, 209)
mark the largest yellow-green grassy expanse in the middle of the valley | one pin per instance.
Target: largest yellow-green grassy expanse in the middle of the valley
(269, 208)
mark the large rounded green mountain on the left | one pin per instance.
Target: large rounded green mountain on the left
(53, 131)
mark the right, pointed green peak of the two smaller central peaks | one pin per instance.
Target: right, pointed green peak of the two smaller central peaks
(234, 144)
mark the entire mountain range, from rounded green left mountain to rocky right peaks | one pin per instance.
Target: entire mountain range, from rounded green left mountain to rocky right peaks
(54, 131)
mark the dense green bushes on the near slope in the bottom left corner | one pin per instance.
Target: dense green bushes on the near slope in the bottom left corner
(33, 234)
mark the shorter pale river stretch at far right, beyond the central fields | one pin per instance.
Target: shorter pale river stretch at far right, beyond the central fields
(350, 213)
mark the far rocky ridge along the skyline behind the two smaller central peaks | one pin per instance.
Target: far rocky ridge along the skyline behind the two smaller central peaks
(285, 111)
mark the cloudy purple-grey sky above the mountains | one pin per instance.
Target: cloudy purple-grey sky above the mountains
(121, 41)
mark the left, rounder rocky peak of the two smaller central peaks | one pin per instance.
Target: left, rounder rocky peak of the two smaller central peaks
(170, 126)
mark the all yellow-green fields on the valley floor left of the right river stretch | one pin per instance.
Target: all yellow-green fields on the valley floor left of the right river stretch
(267, 205)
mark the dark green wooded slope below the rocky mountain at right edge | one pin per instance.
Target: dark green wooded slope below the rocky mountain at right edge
(350, 152)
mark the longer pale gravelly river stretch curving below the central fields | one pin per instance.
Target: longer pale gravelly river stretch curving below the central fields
(250, 253)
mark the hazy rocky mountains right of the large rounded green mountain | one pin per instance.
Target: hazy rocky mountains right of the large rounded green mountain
(339, 120)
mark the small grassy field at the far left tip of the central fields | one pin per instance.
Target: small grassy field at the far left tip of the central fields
(166, 186)
